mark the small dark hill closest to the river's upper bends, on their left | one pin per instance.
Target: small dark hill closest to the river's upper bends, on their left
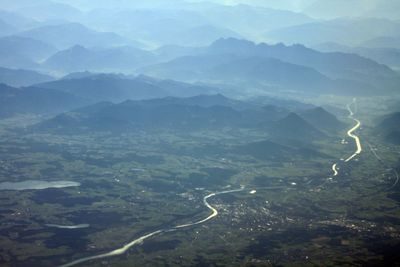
(322, 120)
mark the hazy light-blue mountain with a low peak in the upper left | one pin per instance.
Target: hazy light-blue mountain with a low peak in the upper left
(78, 58)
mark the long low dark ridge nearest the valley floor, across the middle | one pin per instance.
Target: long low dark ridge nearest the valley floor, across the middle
(212, 111)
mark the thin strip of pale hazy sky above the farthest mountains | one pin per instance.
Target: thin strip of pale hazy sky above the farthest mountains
(324, 9)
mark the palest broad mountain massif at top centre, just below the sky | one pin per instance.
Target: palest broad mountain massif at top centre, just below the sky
(192, 24)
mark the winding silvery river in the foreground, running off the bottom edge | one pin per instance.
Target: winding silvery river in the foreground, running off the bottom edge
(138, 241)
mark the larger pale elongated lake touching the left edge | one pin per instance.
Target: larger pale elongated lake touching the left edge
(36, 185)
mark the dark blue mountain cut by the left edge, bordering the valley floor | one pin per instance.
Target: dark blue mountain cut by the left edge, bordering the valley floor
(35, 101)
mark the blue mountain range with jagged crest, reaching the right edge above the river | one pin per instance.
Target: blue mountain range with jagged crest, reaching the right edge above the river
(279, 67)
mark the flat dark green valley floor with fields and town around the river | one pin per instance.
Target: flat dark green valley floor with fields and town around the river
(293, 211)
